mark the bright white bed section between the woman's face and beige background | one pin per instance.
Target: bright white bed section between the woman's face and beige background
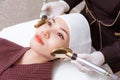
(20, 33)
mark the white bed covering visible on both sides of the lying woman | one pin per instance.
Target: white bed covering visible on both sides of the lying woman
(22, 34)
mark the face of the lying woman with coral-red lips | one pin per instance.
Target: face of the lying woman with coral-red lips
(54, 34)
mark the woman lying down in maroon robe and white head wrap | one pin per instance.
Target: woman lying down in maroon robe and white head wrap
(35, 62)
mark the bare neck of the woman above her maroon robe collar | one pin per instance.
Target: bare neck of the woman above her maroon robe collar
(31, 57)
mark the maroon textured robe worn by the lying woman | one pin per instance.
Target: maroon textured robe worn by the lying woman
(9, 54)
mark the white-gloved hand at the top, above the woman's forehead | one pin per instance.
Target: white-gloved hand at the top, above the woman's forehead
(53, 9)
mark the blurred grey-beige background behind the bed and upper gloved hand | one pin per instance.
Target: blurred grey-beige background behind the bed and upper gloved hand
(17, 11)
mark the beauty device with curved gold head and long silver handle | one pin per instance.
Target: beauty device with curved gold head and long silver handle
(67, 52)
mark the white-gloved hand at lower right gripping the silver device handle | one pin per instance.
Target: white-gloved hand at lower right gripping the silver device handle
(95, 58)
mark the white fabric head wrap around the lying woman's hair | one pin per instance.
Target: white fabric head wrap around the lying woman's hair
(80, 40)
